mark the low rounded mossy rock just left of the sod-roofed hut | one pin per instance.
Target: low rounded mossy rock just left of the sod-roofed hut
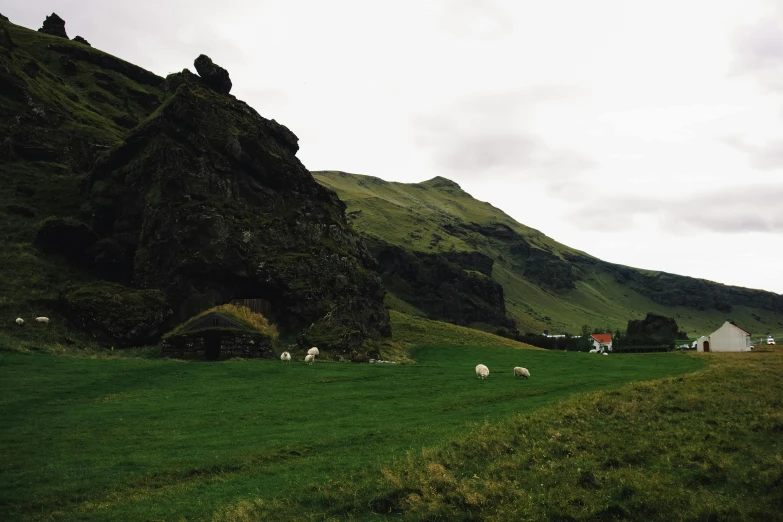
(116, 315)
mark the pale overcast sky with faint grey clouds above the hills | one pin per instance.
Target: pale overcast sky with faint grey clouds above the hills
(648, 134)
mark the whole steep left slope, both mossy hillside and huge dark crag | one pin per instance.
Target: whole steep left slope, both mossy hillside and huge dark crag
(167, 197)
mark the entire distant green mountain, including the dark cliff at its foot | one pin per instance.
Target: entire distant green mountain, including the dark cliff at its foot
(435, 241)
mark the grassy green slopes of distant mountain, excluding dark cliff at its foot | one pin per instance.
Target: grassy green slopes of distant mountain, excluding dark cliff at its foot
(547, 285)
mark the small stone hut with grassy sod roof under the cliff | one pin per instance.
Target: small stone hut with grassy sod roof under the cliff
(221, 332)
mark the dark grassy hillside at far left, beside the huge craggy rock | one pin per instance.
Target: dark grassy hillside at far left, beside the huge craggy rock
(58, 113)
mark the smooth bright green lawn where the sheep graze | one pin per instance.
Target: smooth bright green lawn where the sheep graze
(144, 439)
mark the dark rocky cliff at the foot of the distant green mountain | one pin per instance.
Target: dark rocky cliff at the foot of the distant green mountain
(445, 286)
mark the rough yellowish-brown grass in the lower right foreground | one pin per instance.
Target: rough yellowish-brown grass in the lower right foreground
(680, 448)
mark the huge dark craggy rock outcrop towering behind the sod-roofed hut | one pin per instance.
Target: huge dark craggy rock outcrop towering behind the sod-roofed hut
(207, 202)
